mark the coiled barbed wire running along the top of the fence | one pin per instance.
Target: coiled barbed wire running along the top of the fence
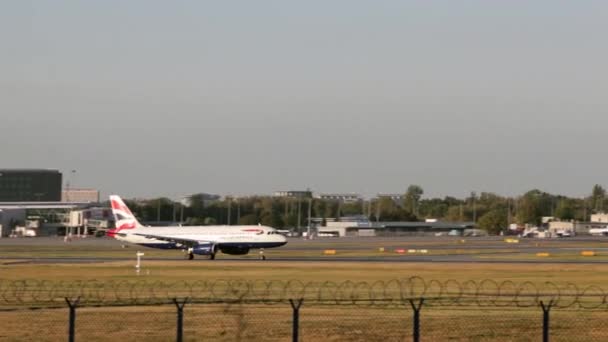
(484, 293)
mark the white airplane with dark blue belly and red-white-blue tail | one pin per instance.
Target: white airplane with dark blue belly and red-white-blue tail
(200, 240)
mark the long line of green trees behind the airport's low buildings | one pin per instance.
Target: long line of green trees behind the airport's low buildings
(489, 211)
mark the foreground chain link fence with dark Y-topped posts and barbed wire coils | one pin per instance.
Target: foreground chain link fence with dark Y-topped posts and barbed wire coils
(295, 311)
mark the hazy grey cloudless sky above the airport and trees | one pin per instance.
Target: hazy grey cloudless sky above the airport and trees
(148, 98)
